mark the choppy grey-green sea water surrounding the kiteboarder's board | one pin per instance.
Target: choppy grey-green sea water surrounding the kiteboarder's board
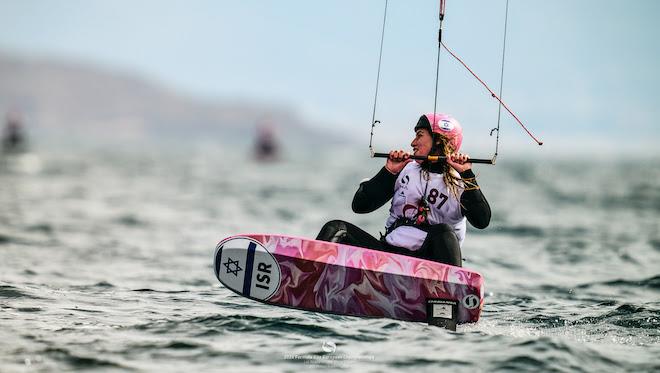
(106, 264)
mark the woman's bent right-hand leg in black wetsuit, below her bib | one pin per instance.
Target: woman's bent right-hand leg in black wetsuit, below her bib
(441, 245)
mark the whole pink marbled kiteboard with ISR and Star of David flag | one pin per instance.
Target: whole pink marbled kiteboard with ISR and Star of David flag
(347, 280)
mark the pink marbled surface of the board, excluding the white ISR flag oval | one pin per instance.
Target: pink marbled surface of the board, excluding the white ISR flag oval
(348, 280)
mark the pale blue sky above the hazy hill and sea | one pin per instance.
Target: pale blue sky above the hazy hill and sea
(581, 74)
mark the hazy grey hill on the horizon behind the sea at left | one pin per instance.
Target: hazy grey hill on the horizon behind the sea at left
(59, 97)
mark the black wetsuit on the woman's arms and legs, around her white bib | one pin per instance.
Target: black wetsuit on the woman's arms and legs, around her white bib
(441, 243)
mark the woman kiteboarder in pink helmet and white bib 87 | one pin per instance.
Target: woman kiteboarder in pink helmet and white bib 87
(431, 201)
